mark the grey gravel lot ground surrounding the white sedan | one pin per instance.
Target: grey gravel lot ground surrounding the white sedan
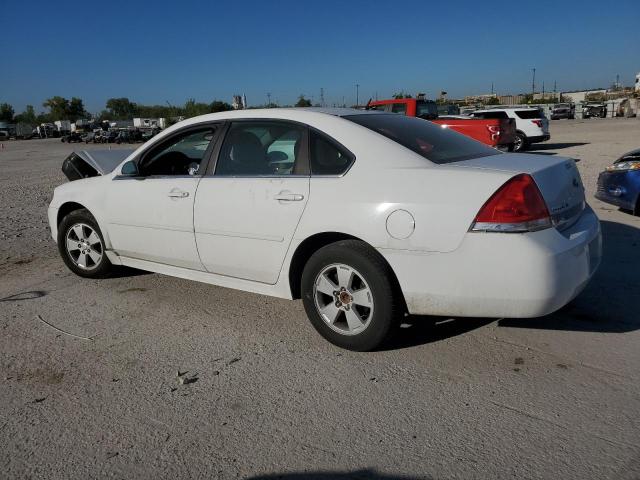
(555, 397)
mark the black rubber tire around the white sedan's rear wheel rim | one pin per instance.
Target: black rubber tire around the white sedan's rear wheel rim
(378, 276)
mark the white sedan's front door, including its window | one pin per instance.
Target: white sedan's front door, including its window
(150, 216)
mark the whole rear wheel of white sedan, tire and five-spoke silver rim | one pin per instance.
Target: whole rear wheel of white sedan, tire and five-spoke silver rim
(349, 296)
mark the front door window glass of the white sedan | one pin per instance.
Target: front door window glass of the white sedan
(179, 155)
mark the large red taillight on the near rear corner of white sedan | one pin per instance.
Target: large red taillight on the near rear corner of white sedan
(517, 206)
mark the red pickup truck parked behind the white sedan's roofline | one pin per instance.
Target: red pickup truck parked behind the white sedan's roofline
(498, 133)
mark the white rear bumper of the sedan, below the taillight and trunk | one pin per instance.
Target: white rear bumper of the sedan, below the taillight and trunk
(501, 275)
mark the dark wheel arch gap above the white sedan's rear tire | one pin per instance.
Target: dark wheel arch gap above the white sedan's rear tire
(312, 244)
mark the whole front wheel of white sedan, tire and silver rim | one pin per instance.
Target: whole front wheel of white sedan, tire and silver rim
(82, 246)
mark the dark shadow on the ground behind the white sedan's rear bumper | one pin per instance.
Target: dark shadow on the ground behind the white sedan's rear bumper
(610, 302)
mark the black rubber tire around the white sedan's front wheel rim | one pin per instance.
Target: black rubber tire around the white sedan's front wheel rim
(100, 269)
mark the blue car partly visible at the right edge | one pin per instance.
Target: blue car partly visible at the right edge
(619, 184)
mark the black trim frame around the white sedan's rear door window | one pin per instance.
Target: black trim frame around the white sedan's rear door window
(302, 164)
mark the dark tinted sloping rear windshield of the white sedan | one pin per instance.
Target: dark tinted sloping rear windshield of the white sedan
(436, 144)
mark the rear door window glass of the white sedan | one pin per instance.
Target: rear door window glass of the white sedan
(261, 148)
